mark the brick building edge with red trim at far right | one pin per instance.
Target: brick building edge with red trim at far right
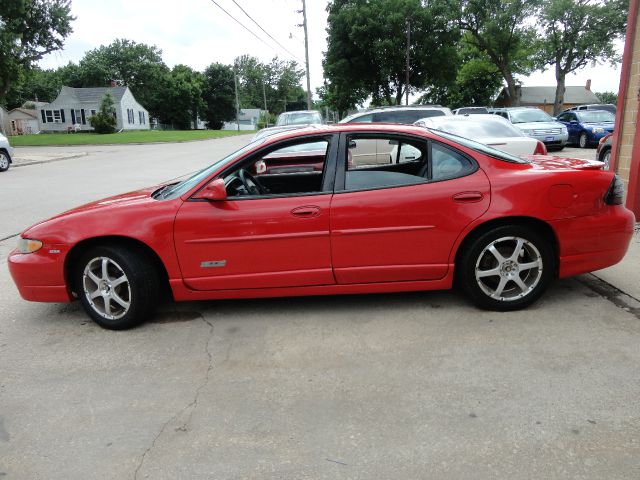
(625, 156)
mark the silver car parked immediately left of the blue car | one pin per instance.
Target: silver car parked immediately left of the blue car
(537, 124)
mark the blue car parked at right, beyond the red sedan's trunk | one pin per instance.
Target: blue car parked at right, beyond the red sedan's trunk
(587, 127)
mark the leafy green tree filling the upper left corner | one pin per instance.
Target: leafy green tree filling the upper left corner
(29, 29)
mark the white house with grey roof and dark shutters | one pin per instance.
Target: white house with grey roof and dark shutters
(74, 106)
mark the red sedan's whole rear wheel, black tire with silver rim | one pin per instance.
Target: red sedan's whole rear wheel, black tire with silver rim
(484, 289)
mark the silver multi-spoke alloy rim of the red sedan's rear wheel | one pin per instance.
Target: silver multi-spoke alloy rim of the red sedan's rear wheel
(508, 269)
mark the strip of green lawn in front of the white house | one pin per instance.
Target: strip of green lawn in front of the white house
(143, 136)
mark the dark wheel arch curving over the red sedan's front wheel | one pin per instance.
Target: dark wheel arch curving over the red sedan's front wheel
(78, 250)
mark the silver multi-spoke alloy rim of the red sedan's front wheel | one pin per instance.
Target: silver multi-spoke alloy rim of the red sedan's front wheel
(106, 288)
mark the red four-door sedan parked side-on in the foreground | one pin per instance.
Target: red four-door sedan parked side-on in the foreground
(447, 210)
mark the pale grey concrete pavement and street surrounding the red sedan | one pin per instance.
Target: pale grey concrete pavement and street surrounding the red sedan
(401, 386)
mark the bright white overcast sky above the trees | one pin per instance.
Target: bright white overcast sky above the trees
(198, 33)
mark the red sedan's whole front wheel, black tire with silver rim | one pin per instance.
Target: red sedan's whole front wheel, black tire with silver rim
(130, 302)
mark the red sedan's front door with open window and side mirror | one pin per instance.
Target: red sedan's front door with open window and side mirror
(273, 239)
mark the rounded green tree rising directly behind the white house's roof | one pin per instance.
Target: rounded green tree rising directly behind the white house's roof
(136, 65)
